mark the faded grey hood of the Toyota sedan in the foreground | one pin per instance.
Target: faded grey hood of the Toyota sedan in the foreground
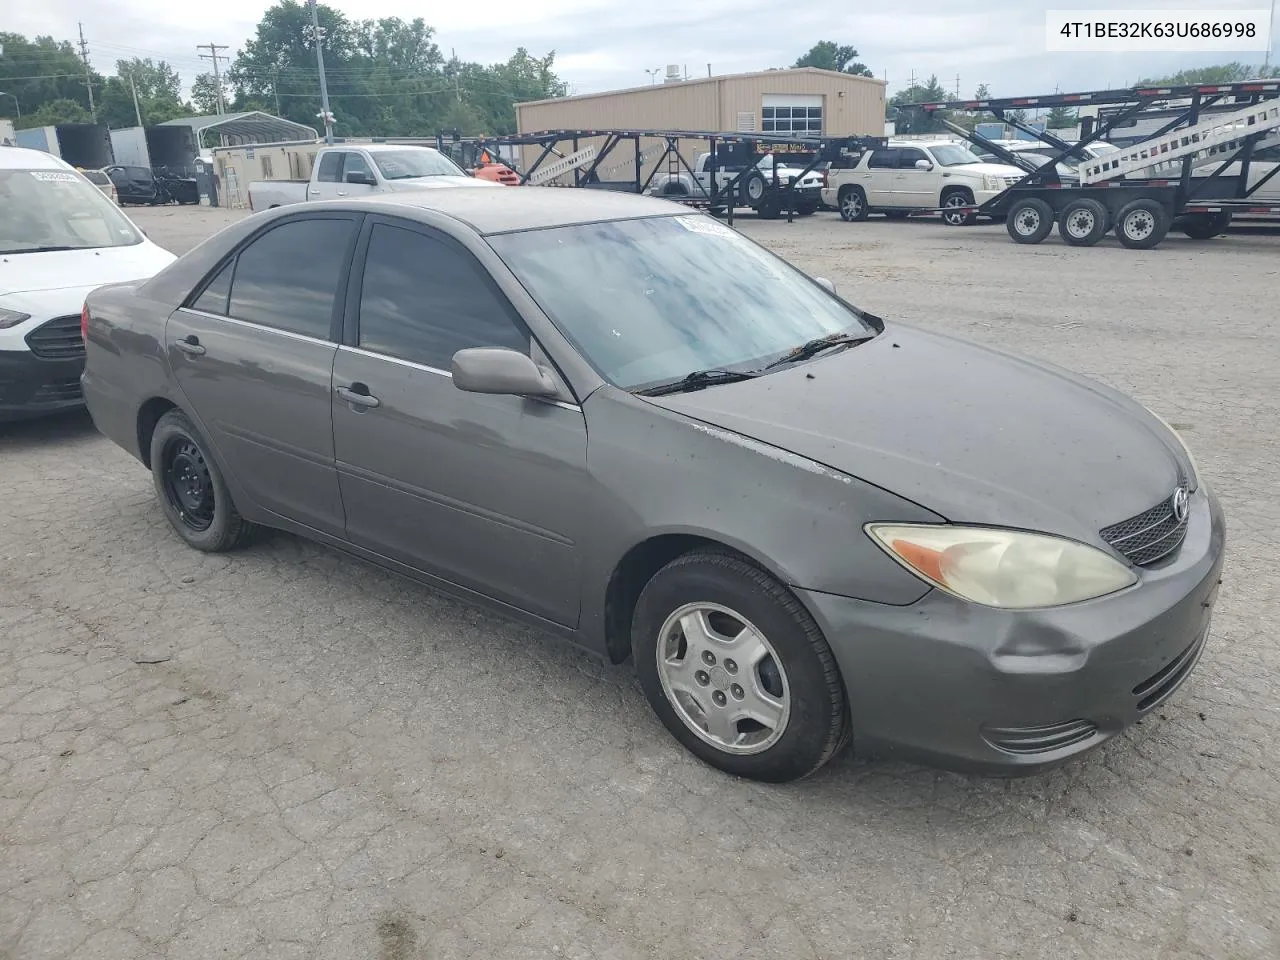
(967, 432)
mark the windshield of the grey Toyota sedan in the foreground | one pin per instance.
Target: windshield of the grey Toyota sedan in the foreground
(653, 300)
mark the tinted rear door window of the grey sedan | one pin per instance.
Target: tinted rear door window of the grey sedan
(289, 278)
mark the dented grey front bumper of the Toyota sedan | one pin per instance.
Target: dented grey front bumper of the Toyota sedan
(1017, 692)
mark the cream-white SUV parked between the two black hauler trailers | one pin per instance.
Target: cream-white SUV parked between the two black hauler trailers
(917, 176)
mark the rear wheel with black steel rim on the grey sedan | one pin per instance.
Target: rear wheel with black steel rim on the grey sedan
(191, 490)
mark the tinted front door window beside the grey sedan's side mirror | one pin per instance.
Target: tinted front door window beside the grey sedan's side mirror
(424, 300)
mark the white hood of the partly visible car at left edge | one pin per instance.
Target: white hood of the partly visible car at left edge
(80, 269)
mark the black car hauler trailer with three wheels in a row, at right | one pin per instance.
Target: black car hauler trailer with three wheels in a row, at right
(1146, 188)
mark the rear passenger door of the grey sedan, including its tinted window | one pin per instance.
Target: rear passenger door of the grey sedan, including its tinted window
(254, 356)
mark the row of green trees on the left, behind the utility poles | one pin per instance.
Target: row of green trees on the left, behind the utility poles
(386, 77)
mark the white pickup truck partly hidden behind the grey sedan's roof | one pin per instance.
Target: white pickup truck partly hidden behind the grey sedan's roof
(358, 171)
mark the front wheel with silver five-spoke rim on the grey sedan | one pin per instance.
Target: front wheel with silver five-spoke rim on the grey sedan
(737, 669)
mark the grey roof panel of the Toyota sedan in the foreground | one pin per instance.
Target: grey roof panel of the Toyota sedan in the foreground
(511, 209)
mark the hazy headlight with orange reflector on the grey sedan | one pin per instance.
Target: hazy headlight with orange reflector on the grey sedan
(1005, 569)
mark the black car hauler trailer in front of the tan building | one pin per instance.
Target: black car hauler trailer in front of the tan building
(739, 153)
